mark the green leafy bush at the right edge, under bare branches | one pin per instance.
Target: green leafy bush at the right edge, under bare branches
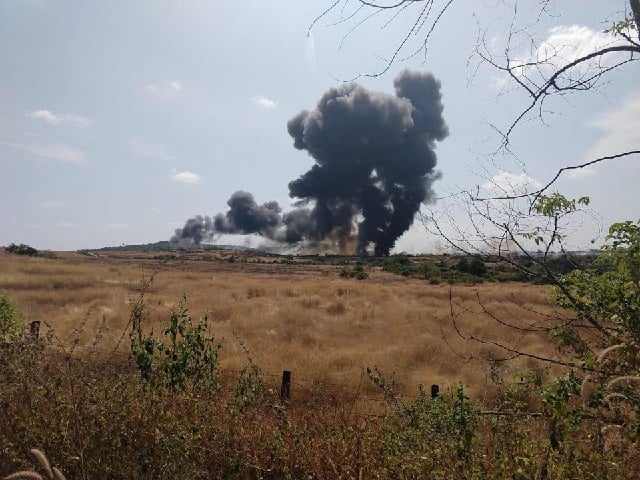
(606, 296)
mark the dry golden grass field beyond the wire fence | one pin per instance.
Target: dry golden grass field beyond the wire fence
(296, 316)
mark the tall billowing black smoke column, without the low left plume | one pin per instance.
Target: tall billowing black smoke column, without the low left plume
(374, 157)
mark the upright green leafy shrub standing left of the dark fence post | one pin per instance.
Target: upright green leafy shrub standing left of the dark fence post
(187, 357)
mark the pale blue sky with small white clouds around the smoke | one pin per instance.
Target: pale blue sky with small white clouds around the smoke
(120, 120)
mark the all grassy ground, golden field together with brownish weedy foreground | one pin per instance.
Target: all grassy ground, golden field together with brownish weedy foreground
(79, 395)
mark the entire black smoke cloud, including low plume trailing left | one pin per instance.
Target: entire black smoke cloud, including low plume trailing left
(374, 165)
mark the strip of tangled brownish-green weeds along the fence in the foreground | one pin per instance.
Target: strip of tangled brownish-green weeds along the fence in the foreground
(95, 420)
